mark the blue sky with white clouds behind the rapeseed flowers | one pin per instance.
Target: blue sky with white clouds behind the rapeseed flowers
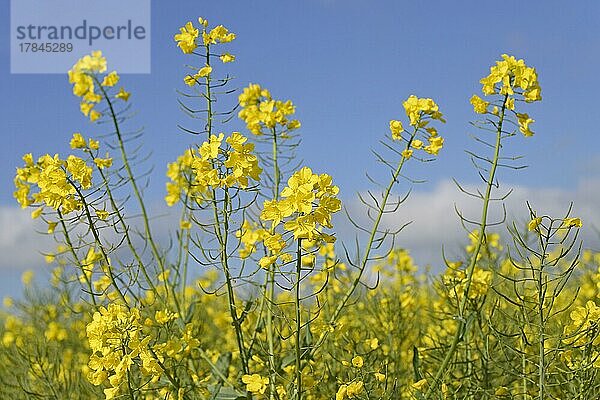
(347, 66)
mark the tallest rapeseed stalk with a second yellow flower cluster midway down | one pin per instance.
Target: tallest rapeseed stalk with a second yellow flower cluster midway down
(215, 176)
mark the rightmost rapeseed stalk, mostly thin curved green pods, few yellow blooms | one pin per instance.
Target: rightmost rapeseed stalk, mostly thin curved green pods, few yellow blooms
(533, 292)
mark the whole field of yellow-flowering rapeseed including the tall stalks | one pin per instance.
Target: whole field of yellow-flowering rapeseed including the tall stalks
(253, 297)
